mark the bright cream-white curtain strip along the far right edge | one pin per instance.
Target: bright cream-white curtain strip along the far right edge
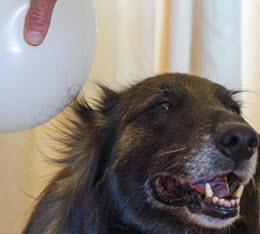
(250, 61)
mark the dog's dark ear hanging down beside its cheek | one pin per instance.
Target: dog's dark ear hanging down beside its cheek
(106, 133)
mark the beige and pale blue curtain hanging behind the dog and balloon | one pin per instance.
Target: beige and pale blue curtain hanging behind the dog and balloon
(136, 39)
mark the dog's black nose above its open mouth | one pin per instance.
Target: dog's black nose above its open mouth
(237, 141)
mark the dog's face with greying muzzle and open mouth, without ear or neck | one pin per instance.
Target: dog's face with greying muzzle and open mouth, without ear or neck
(184, 153)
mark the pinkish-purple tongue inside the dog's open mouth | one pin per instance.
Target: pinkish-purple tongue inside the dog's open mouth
(218, 185)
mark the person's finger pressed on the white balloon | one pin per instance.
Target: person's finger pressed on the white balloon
(37, 21)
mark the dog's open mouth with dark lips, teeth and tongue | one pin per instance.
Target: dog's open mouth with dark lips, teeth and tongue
(216, 196)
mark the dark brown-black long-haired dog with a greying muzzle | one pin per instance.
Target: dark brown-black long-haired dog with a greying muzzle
(170, 154)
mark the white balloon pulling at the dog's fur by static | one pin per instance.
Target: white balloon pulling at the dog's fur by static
(36, 83)
